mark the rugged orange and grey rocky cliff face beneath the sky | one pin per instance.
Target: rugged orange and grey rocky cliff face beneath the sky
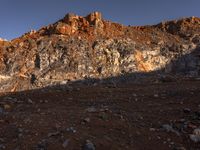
(76, 48)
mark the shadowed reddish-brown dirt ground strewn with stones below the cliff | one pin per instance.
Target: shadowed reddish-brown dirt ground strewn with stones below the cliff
(111, 117)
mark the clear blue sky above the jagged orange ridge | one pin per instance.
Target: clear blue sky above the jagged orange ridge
(20, 16)
